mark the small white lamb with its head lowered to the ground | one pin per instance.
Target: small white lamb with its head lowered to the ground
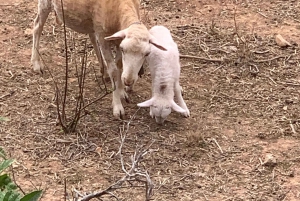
(165, 72)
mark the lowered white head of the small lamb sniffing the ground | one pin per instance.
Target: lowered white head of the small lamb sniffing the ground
(160, 108)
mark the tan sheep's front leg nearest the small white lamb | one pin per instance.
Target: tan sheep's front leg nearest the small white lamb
(115, 76)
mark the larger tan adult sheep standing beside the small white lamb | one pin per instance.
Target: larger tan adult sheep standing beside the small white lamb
(108, 23)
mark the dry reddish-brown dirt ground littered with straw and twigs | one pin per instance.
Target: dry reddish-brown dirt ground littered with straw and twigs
(244, 109)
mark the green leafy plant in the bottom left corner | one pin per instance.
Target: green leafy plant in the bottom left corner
(9, 191)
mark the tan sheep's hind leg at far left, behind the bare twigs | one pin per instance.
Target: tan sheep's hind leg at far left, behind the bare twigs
(44, 8)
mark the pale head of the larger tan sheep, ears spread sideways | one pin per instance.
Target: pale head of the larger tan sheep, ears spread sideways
(135, 46)
